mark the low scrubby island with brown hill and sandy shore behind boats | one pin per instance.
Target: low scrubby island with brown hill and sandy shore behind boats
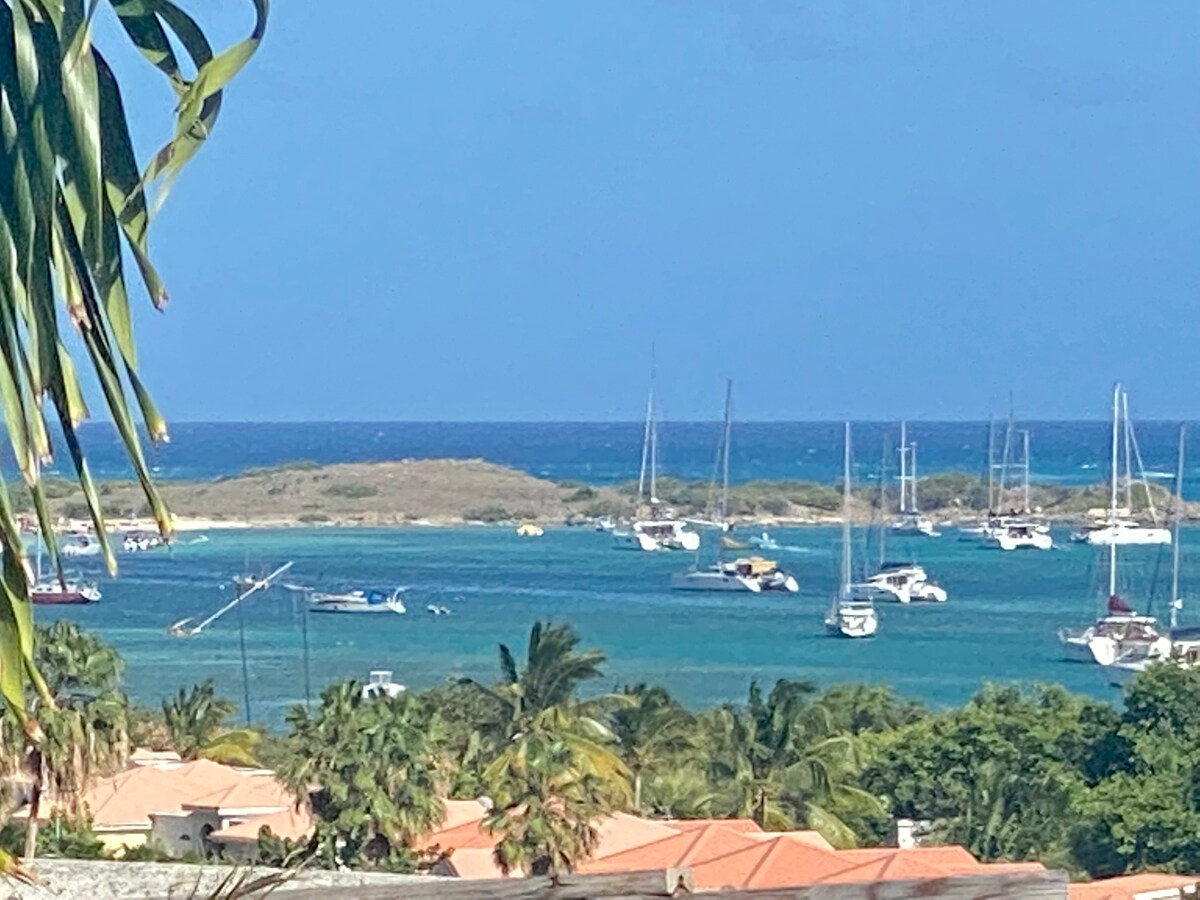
(457, 491)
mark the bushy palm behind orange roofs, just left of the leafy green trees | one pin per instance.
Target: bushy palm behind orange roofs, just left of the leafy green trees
(778, 761)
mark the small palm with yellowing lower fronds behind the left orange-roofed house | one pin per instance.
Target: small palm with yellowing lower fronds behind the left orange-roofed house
(196, 722)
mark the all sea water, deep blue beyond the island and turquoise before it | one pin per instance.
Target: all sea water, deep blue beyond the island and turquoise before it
(999, 625)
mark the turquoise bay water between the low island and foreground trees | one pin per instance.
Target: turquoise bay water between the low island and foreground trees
(999, 623)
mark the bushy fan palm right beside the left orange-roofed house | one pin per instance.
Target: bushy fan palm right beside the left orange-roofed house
(370, 771)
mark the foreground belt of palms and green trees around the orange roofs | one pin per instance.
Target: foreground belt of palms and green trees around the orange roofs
(1012, 775)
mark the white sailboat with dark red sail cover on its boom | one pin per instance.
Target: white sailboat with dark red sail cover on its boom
(1123, 629)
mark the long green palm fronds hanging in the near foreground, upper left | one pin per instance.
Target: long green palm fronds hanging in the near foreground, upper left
(73, 203)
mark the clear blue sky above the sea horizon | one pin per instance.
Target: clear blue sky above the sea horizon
(490, 211)
